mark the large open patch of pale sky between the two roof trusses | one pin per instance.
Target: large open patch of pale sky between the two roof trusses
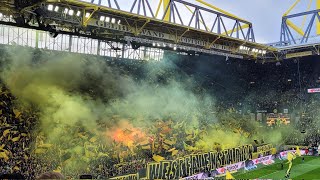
(265, 15)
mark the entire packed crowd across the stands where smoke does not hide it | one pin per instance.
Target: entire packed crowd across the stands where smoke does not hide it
(25, 150)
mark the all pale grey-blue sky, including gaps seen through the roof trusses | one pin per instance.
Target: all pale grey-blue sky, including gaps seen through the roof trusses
(265, 15)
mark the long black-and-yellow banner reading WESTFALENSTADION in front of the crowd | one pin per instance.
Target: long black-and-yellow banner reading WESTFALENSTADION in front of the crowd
(194, 163)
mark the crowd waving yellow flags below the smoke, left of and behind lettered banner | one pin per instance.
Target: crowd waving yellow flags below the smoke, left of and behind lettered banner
(23, 148)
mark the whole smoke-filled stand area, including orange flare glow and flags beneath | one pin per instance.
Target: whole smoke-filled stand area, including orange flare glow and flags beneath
(91, 111)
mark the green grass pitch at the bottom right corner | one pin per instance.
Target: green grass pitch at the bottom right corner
(309, 169)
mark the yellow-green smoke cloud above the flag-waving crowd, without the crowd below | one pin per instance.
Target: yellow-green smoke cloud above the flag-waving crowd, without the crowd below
(82, 97)
